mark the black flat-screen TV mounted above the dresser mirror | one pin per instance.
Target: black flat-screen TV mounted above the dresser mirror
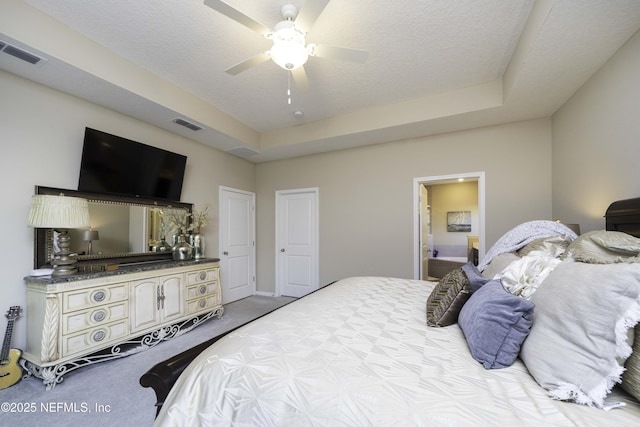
(115, 165)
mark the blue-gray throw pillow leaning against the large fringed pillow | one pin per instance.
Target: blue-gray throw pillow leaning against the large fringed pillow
(495, 324)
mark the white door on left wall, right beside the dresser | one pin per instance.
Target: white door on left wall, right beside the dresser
(237, 244)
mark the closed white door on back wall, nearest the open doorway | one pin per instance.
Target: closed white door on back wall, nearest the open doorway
(297, 242)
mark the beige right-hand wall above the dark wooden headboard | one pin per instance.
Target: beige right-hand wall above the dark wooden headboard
(596, 142)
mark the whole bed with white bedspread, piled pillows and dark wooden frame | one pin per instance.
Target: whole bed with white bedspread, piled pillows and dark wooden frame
(387, 351)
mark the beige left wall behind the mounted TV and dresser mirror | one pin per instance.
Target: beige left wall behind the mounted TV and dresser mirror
(41, 138)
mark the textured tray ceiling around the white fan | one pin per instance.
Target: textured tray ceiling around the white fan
(433, 66)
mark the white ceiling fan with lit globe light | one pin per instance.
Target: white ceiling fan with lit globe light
(289, 48)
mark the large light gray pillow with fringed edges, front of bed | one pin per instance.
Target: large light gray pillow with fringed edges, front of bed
(578, 341)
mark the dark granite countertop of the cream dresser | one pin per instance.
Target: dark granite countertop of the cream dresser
(122, 269)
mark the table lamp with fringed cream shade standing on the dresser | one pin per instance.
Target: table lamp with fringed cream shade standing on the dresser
(60, 213)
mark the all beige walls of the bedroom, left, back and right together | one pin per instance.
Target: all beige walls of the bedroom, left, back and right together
(366, 198)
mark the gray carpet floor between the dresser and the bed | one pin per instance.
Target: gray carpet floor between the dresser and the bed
(108, 393)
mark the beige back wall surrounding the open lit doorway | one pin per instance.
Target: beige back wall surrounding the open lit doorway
(366, 194)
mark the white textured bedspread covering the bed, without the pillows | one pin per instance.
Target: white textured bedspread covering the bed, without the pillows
(359, 353)
